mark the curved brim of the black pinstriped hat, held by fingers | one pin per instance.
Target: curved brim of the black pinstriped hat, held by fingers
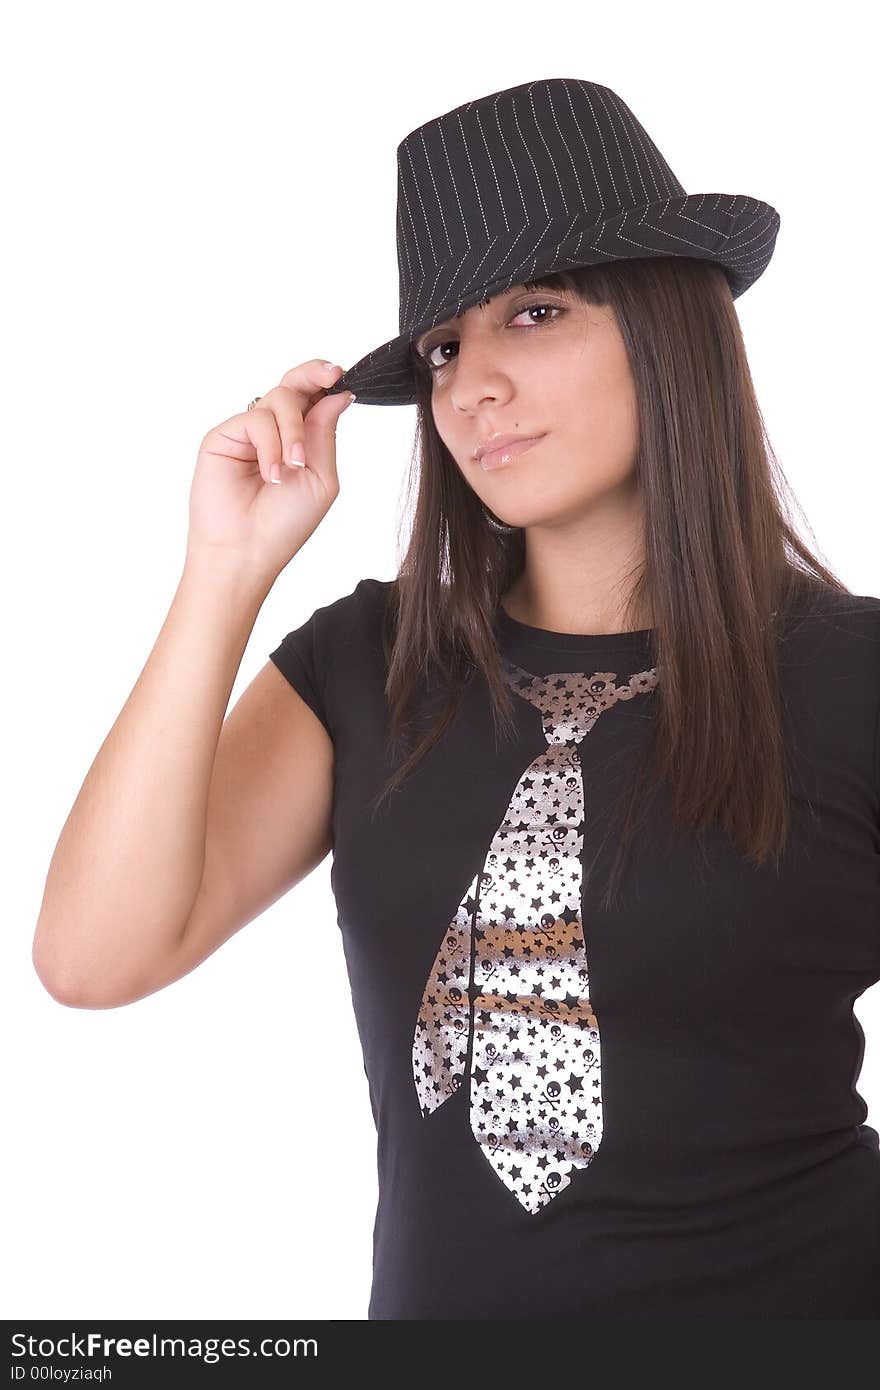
(736, 231)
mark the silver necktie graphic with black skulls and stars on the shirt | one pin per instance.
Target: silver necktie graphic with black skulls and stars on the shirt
(508, 999)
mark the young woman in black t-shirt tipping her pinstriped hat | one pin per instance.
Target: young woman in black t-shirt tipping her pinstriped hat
(598, 768)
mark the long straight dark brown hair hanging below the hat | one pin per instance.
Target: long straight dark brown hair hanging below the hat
(722, 565)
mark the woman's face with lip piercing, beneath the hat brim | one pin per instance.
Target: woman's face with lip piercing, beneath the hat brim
(560, 372)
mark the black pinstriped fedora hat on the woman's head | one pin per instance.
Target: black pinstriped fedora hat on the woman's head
(540, 179)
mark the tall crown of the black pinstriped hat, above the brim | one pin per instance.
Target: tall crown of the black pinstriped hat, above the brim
(512, 167)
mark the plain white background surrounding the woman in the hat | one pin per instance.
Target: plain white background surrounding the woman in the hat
(201, 197)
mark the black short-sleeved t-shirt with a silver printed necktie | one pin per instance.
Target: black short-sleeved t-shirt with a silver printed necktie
(642, 1113)
